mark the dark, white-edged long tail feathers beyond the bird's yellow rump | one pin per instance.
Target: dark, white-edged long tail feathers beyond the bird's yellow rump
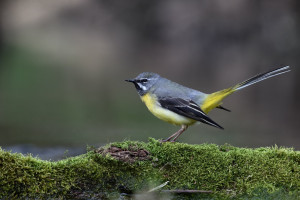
(261, 77)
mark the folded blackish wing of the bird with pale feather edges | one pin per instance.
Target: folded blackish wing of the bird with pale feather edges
(187, 108)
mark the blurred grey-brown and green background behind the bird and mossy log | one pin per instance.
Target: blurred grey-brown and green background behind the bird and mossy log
(63, 66)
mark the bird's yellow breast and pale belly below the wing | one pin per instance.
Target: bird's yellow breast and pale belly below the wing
(164, 114)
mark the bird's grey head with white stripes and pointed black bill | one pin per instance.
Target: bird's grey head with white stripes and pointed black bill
(144, 82)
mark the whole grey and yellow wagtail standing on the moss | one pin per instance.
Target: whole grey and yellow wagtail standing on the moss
(180, 105)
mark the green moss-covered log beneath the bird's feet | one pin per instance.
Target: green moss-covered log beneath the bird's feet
(128, 167)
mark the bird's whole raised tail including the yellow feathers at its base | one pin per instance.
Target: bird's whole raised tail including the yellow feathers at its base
(214, 100)
